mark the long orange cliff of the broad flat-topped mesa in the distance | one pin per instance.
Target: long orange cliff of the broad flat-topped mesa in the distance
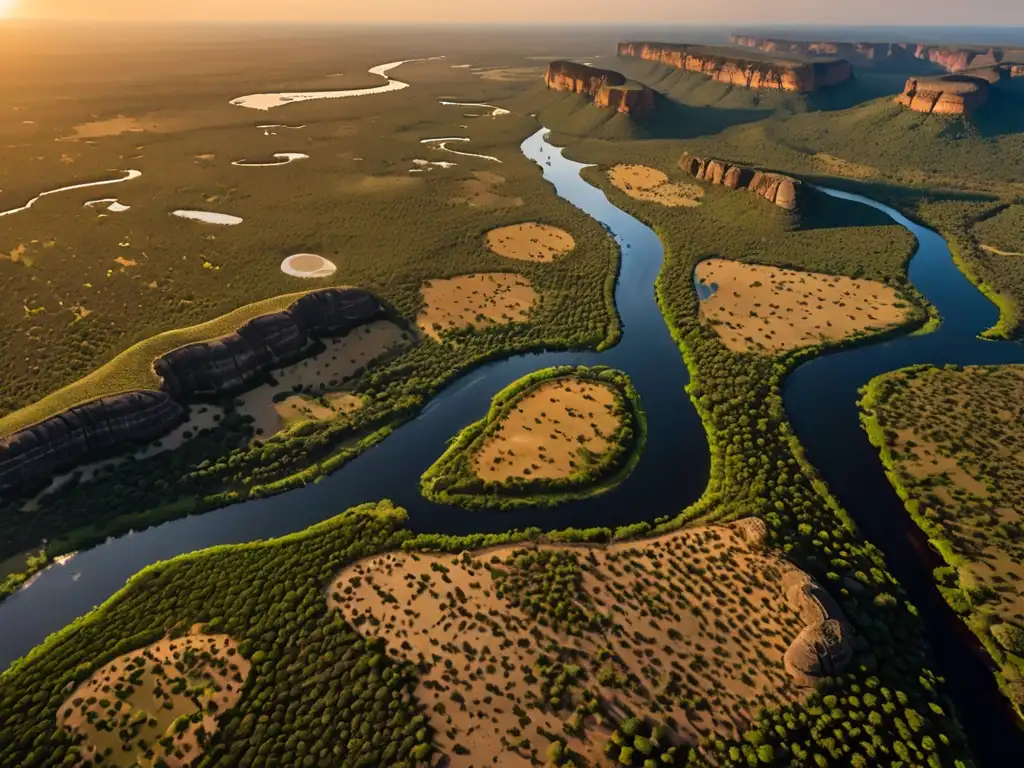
(726, 66)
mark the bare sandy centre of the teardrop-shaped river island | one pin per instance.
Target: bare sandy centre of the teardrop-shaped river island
(543, 436)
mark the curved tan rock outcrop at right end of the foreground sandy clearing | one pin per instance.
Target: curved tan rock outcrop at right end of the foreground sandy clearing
(825, 647)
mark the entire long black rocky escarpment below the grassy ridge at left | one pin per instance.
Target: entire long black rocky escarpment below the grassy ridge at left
(231, 363)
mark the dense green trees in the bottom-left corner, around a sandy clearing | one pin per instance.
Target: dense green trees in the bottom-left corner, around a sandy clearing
(318, 694)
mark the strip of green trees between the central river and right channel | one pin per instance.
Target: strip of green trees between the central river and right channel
(758, 470)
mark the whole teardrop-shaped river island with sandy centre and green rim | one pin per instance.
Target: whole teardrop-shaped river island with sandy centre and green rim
(552, 437)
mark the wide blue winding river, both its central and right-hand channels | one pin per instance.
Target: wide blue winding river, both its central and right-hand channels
(821, 398)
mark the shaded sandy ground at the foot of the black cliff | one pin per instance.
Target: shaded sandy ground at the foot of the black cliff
(276, 407)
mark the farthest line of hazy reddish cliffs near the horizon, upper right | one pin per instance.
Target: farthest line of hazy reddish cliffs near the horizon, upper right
(952, 59)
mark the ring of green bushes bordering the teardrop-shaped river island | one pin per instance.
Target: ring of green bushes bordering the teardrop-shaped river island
(454, 478)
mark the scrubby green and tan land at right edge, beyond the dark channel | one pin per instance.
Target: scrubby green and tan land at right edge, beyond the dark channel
(951, 442)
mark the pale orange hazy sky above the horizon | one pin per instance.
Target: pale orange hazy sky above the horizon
(738, 13)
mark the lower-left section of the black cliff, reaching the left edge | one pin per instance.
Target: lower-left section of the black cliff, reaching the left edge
(83, 432)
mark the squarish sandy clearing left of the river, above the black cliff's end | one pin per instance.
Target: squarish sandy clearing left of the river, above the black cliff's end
(475, 301)
